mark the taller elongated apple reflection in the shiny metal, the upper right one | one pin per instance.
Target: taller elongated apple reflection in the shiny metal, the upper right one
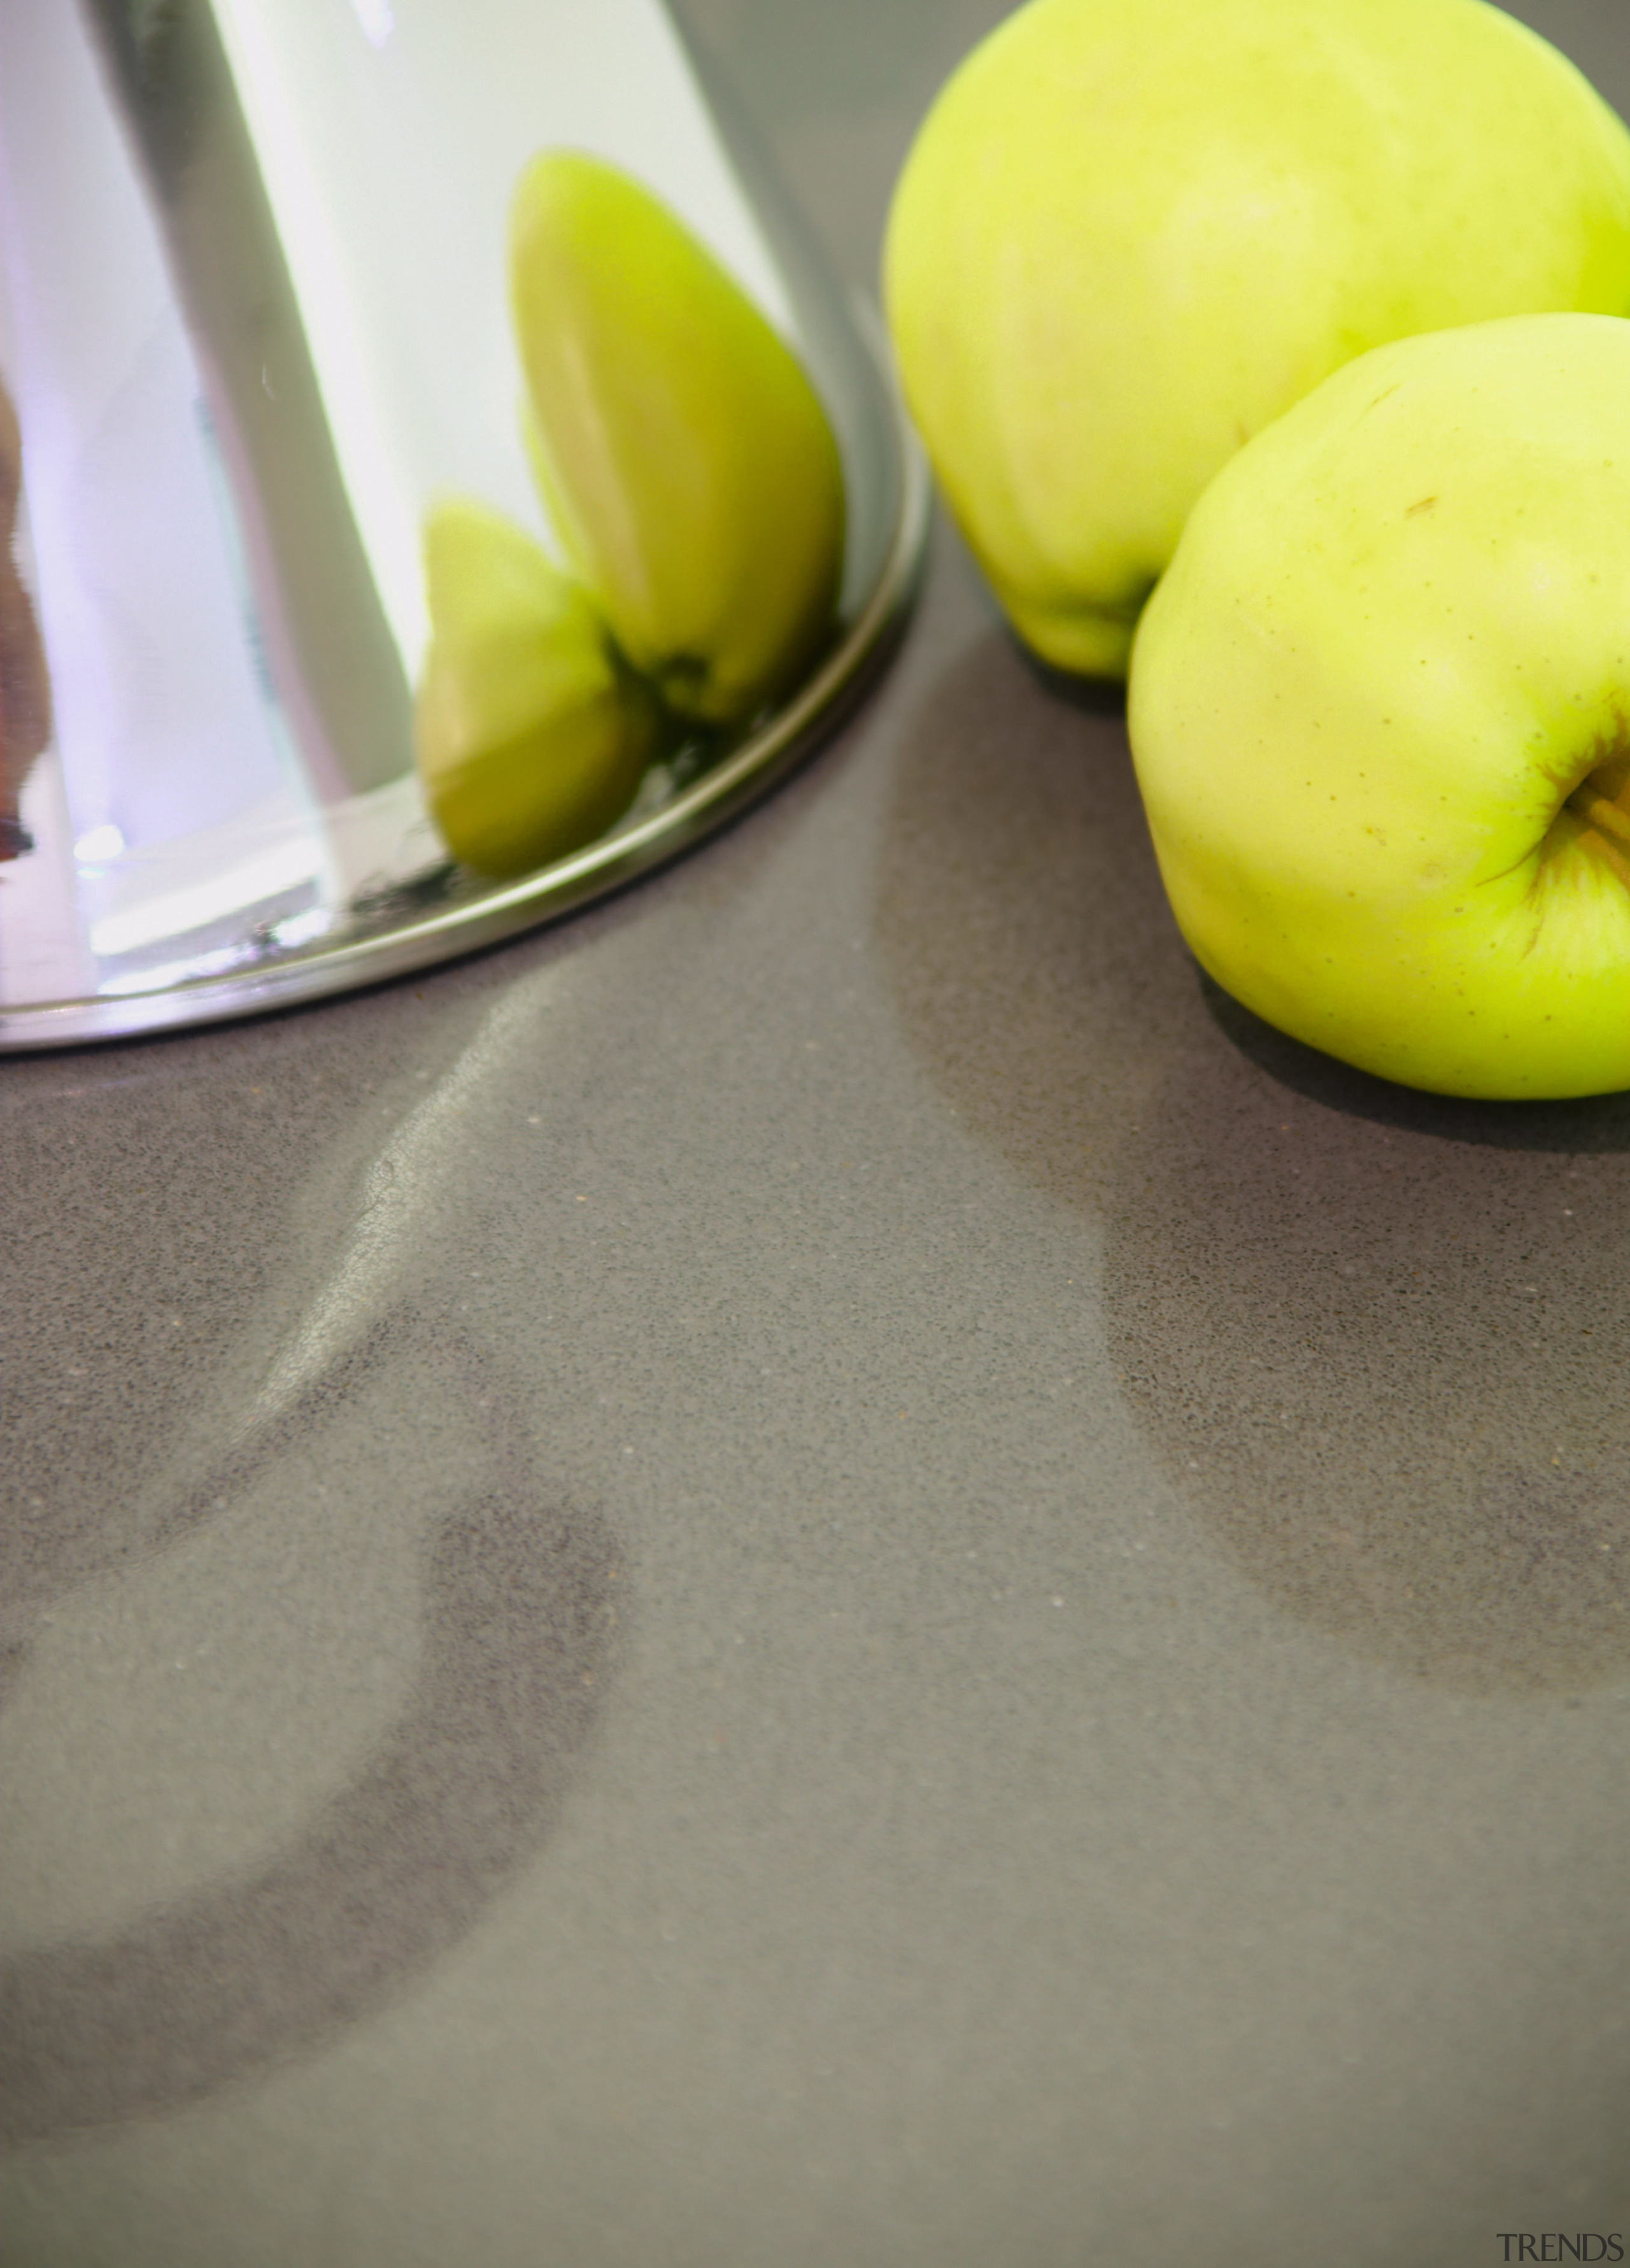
(684, 455)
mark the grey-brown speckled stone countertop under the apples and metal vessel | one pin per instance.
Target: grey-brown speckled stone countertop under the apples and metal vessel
(820, 1571)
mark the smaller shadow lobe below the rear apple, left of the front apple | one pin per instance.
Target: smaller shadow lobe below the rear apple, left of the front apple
(1021, 917)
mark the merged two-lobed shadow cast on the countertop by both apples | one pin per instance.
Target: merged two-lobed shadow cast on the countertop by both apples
(1373, 1339)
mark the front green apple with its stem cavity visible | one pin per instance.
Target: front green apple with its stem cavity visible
(1382, 713)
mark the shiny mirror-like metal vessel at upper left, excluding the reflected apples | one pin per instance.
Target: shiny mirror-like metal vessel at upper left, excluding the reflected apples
(253, 323)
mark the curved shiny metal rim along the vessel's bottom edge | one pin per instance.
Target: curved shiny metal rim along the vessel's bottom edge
(557, 890)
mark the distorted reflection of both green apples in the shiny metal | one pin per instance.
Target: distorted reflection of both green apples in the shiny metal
(695, 491)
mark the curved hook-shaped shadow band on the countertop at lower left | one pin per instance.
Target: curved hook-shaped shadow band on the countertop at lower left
(400, 1865)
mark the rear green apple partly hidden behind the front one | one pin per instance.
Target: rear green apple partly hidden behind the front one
(1135, 232)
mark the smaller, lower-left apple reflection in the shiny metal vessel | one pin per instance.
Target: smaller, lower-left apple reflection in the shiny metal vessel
(532, 731)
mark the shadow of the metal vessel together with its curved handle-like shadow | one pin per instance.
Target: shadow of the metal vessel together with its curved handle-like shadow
(158, 1255)
